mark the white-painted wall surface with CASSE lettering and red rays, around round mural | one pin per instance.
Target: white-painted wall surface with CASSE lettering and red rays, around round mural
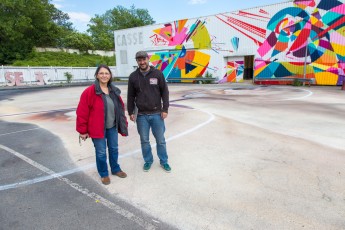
(221, 28)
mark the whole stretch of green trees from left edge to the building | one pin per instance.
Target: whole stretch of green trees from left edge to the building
(37, 23)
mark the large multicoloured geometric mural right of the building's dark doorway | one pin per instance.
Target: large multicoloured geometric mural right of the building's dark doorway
(311, 32)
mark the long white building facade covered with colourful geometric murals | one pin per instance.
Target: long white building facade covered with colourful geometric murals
(294, 39)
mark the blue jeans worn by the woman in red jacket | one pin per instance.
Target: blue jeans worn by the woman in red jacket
(110, 139)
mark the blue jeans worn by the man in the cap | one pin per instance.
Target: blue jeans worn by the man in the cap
(156, 123)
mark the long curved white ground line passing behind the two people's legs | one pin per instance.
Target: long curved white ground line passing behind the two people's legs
(92, 165)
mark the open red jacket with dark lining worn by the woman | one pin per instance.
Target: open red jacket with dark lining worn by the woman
(91, 112)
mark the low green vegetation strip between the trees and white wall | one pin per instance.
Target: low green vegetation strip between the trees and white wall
(64, 59)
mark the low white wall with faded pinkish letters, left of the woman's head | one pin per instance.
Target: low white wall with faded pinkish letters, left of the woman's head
(21, 76)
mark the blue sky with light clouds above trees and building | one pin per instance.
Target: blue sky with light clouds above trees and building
(81, 11)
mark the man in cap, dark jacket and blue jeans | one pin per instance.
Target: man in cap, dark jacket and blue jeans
(147, 104)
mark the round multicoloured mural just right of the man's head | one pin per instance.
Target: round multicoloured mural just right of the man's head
(181, 62)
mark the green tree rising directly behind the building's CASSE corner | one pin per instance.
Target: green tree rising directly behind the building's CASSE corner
(102, 27)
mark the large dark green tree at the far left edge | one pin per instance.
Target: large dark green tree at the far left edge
(28, 23)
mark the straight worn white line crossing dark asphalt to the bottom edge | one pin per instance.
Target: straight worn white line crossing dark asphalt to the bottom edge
(84, 191)
